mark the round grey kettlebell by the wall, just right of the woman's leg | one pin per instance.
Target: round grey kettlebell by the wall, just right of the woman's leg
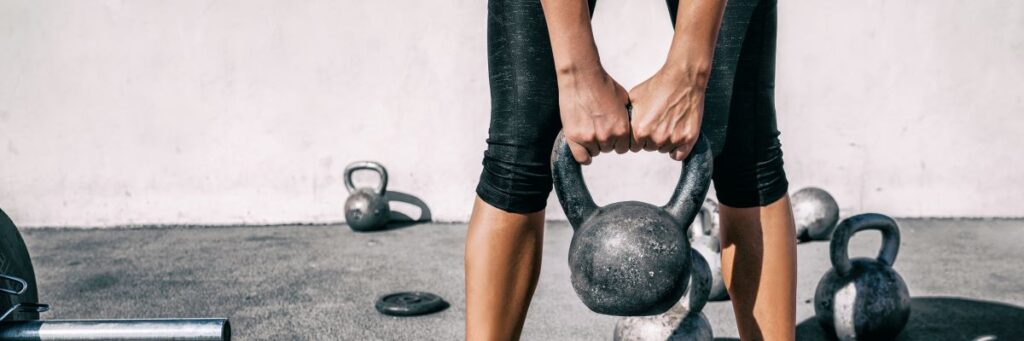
(816, 214)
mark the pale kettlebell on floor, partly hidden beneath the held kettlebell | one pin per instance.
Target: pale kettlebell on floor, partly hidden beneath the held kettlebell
(684, 322)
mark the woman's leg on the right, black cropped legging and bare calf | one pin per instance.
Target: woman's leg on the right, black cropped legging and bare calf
(759, 253)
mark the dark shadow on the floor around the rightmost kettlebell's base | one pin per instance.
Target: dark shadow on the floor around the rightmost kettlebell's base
(942, 319)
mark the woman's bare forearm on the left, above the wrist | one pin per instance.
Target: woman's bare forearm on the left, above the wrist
(572, 36)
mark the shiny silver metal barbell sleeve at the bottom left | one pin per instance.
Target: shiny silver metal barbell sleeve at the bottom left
(117, 330)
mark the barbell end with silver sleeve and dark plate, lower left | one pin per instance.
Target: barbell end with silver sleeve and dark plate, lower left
(20, 309)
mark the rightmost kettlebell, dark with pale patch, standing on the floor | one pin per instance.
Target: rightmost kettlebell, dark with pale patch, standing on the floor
(864, 299)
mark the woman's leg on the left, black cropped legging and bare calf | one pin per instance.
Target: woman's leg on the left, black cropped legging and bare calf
(506, 231)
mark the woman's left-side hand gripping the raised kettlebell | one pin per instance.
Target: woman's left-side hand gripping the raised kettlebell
(593, 113)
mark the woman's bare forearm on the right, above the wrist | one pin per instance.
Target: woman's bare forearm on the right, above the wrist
(694, 45)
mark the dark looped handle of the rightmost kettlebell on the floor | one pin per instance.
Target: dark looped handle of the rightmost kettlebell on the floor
(841, 240)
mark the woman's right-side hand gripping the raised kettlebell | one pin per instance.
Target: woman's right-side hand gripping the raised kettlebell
(667, 111)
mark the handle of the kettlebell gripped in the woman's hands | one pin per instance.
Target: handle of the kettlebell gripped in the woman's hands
(579, 204)
